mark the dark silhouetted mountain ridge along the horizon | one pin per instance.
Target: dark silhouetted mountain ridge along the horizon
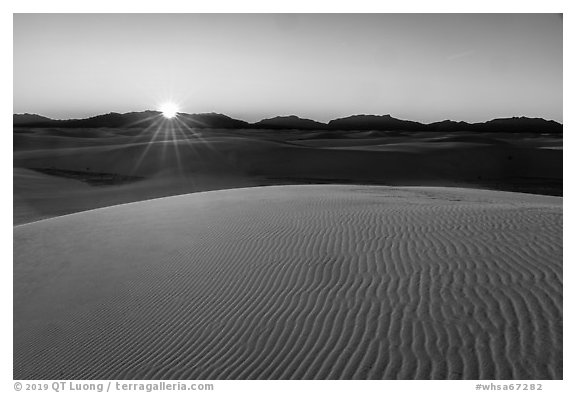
(355, 122)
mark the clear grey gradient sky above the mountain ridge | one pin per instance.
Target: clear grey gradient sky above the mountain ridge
(423, 67)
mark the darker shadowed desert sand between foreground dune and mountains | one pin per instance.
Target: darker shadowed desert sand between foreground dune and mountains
(60, 171)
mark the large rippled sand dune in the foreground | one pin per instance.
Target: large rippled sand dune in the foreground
(308, 282)
